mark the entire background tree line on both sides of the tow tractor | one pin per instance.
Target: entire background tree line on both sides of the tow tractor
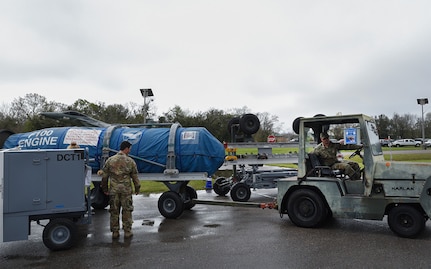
(23, 115)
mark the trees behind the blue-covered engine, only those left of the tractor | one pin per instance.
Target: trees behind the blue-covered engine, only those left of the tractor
(23, 115)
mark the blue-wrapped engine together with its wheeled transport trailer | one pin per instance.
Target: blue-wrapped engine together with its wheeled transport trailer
(173, 155)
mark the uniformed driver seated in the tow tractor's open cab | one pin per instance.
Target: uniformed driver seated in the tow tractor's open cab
(327, 153)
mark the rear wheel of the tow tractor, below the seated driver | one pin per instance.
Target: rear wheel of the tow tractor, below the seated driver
(306, 208)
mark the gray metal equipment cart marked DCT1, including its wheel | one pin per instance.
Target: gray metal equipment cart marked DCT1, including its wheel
(41, 184)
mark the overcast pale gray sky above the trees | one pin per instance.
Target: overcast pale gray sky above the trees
(288, 58)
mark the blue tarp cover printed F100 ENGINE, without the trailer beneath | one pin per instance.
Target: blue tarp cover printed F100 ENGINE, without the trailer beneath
(196, 149)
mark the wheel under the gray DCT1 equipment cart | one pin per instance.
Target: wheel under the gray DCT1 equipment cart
(59, 234)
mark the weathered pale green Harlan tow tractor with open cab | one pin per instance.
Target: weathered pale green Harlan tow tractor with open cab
(399, 190)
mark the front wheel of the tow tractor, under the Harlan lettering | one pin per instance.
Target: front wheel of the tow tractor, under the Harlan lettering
(406, 221)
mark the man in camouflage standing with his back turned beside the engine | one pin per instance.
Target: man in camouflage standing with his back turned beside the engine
(120, 168)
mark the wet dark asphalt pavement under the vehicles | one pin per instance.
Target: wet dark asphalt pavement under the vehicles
(209, 236)
